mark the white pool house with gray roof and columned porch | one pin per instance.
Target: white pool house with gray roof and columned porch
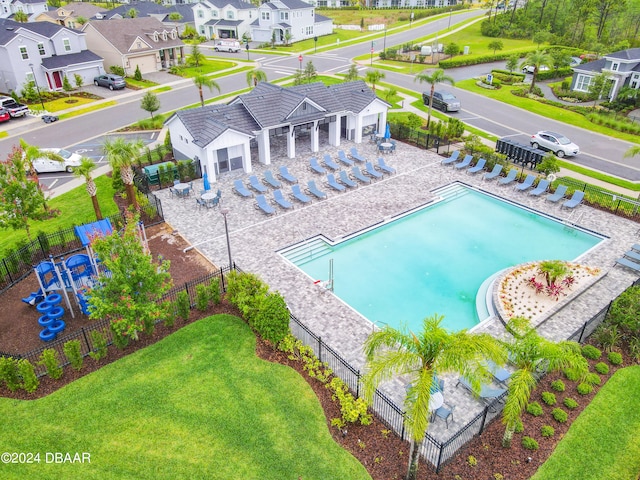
(230, 137)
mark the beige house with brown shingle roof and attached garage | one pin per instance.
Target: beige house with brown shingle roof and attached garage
(142, 42)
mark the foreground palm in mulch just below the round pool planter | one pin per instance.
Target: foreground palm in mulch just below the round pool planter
(531, 354)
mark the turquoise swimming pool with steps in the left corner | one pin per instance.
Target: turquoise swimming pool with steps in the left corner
(435, 259)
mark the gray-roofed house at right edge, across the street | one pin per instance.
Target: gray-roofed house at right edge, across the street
(622, 68)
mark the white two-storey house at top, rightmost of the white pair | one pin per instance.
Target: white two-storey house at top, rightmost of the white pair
(288, 21)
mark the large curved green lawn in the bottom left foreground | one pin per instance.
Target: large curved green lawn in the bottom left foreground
(198, 404)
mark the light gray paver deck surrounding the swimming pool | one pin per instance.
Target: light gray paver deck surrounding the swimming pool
(255, 238)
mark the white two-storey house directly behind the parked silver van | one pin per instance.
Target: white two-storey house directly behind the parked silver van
(224, 18)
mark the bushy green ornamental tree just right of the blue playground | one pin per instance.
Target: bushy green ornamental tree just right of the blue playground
(129, 296)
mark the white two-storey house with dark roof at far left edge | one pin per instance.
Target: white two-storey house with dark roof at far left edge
(45, 53)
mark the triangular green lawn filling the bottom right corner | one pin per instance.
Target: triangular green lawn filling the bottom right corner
(603, 442)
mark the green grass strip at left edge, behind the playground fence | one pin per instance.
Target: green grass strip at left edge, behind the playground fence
(75, 207)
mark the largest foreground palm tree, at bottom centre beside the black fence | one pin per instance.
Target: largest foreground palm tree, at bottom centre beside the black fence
(393, 352)
